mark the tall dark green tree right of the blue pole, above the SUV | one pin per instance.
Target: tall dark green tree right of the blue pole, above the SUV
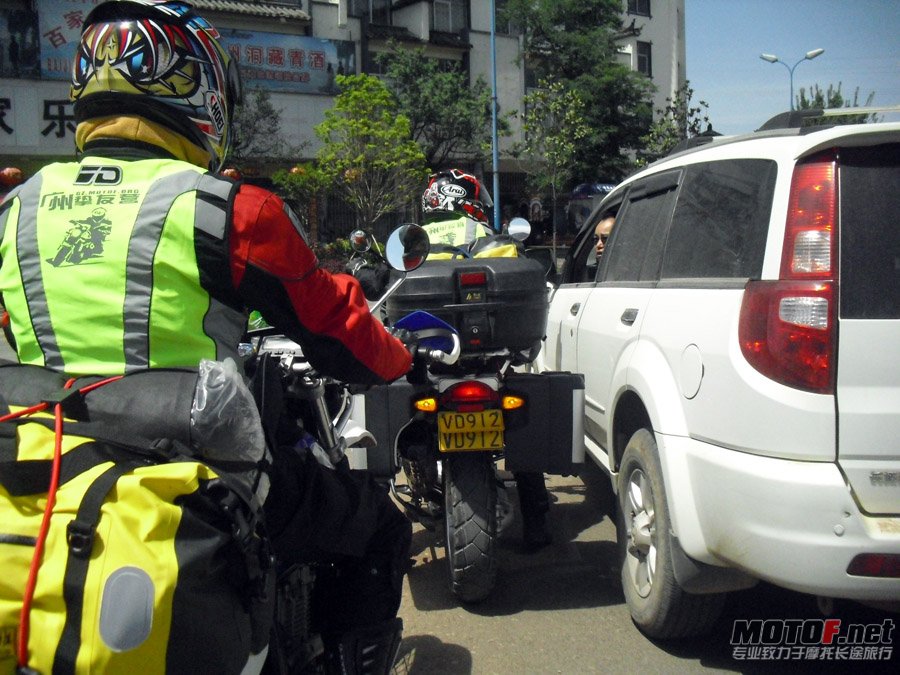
(574, 42)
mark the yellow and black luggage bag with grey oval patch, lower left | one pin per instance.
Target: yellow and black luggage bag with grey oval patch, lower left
(153, 562)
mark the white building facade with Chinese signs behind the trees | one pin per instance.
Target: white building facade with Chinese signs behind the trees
(295, 49)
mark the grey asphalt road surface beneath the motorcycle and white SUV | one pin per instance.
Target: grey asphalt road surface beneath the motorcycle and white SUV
(561, 609)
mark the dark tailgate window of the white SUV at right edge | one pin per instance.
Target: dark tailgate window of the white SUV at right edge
(870, 232)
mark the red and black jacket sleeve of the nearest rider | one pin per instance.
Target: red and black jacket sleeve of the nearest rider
(275, 271)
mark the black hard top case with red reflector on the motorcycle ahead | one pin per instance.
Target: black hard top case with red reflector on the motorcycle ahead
(494, 303)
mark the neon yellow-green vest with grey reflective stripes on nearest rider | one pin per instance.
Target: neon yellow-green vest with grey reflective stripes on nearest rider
(109, 255)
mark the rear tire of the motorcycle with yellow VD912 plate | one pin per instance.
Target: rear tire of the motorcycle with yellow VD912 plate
(470, 509)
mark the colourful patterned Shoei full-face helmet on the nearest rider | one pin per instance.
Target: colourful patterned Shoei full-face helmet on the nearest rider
(159, 60)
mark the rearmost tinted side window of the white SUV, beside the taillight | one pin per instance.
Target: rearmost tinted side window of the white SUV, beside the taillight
(721, 220)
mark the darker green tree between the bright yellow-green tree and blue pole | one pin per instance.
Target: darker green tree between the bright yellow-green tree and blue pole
(448, 117)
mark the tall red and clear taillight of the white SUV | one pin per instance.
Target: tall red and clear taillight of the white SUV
(788, 327)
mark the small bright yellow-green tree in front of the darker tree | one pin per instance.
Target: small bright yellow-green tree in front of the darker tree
(368, 153)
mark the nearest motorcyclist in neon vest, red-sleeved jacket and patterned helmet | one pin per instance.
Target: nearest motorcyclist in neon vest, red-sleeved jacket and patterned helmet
(186, 253)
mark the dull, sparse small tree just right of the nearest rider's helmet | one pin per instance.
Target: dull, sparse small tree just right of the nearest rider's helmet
(257, 131)
